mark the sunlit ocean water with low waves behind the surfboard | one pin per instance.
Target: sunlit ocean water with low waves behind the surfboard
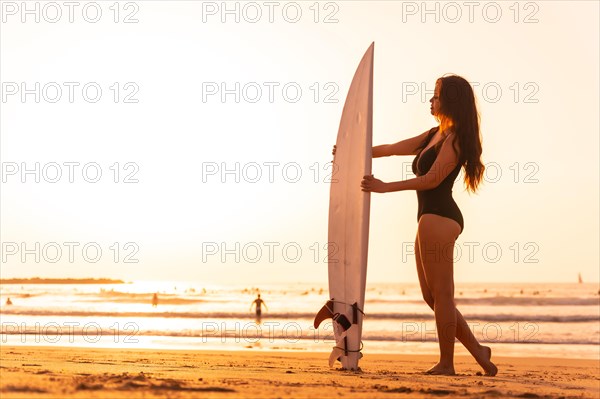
(553, 320)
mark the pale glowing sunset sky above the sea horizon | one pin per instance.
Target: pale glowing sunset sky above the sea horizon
(172, 137)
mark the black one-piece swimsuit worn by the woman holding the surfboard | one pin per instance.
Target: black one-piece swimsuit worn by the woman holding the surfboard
(437, 201)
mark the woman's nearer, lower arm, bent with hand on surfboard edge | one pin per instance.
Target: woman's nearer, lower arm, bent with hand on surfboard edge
(445, 163)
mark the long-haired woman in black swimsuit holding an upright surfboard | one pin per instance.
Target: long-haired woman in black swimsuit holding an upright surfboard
(440, 154)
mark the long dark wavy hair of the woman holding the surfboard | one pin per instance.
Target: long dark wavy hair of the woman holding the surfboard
(458, 111)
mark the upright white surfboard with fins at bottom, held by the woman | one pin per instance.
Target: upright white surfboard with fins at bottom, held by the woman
(349, 218)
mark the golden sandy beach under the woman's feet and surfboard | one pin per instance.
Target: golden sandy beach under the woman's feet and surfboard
(45, 372)
